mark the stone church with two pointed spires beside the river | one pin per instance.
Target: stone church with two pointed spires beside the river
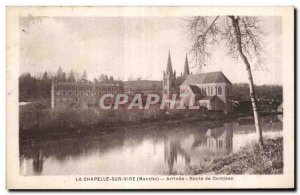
(212, 89)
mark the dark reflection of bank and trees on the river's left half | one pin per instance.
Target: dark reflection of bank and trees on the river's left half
(100, 143)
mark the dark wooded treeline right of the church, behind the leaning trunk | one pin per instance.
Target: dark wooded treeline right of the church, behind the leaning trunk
(240, 92)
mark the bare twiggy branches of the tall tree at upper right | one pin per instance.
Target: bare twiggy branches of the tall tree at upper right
(206, 32)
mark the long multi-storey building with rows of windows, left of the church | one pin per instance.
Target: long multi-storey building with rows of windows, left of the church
(76, 94)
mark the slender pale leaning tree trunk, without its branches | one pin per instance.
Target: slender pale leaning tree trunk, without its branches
(235, 23)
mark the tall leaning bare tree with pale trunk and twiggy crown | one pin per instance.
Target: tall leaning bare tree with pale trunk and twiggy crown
(241, 36)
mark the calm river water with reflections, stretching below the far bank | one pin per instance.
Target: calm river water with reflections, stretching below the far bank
(163, 150)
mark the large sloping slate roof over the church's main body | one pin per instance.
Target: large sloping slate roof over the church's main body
(210, 77)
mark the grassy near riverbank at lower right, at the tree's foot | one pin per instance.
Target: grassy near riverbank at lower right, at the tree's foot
(248, 160)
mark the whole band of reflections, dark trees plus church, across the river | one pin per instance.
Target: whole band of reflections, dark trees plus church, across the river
(187, 140)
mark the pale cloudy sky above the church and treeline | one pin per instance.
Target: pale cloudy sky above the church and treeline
(132, 47)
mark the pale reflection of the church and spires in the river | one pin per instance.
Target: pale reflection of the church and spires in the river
(204, 142)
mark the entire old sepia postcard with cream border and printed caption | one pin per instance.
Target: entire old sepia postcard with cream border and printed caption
(150, 98)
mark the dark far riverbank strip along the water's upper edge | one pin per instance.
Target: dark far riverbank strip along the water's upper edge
(78, 129)
